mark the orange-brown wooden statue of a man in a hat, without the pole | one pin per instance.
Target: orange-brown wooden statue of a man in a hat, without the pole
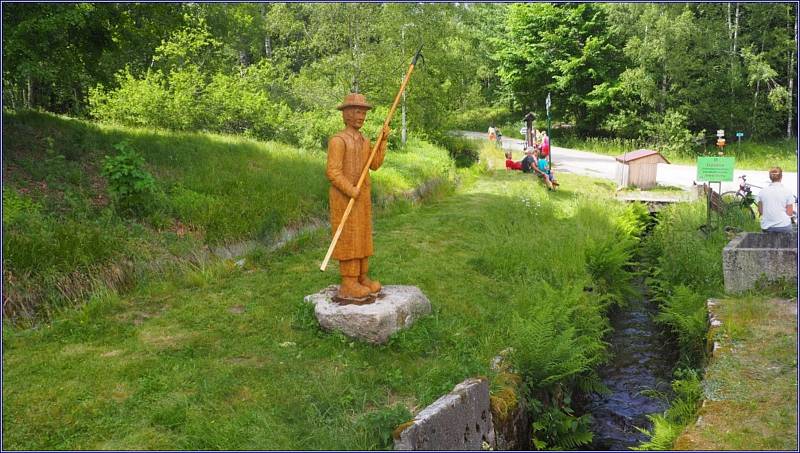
(348, 152)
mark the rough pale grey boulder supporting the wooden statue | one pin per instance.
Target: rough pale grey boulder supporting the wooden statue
(395, 308)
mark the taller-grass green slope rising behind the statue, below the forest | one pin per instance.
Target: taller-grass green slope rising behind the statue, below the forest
(63, 237)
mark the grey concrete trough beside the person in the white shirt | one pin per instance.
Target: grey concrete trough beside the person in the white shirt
(748, 256)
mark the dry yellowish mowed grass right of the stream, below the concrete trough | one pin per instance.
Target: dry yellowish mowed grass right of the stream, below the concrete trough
(750, 385)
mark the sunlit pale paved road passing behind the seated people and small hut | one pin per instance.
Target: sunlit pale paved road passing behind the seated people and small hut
(601, 166)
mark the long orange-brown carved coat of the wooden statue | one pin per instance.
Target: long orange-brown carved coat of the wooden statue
(348, 152)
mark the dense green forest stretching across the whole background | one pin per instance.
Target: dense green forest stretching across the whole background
(669, 73)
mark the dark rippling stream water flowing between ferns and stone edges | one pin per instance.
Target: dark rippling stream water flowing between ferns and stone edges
(643, 357)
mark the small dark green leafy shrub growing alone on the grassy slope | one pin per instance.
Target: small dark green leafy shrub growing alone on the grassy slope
(133, 189)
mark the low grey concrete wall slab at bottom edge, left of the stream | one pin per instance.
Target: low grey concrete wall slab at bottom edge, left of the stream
(460, 420)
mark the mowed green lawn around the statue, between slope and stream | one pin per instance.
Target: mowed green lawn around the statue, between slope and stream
(228, 357)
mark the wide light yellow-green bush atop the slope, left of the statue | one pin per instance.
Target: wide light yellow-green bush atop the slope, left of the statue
(186, 99)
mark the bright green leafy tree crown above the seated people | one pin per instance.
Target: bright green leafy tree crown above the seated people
(576, 64)
